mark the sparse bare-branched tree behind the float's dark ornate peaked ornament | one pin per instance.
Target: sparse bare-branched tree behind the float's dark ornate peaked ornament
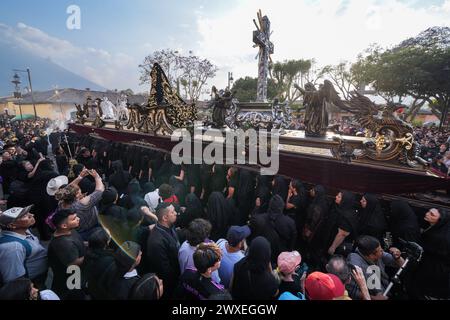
(190, 72)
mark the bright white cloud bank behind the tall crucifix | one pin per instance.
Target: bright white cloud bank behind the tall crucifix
(330, 31)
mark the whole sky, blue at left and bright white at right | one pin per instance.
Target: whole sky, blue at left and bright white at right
(116, 35)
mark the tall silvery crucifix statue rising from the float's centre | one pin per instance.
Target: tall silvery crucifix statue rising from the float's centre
(261, 38)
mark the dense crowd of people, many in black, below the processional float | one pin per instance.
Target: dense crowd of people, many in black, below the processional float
(131, 225)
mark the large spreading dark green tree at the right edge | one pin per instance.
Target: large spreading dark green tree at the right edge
(418, 67)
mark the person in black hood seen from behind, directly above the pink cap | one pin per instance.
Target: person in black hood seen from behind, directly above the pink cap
(276, 227)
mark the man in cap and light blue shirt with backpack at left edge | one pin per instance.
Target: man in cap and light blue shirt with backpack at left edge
(21, 253)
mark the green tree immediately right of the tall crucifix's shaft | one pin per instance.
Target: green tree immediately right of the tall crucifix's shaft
(286, 74)
